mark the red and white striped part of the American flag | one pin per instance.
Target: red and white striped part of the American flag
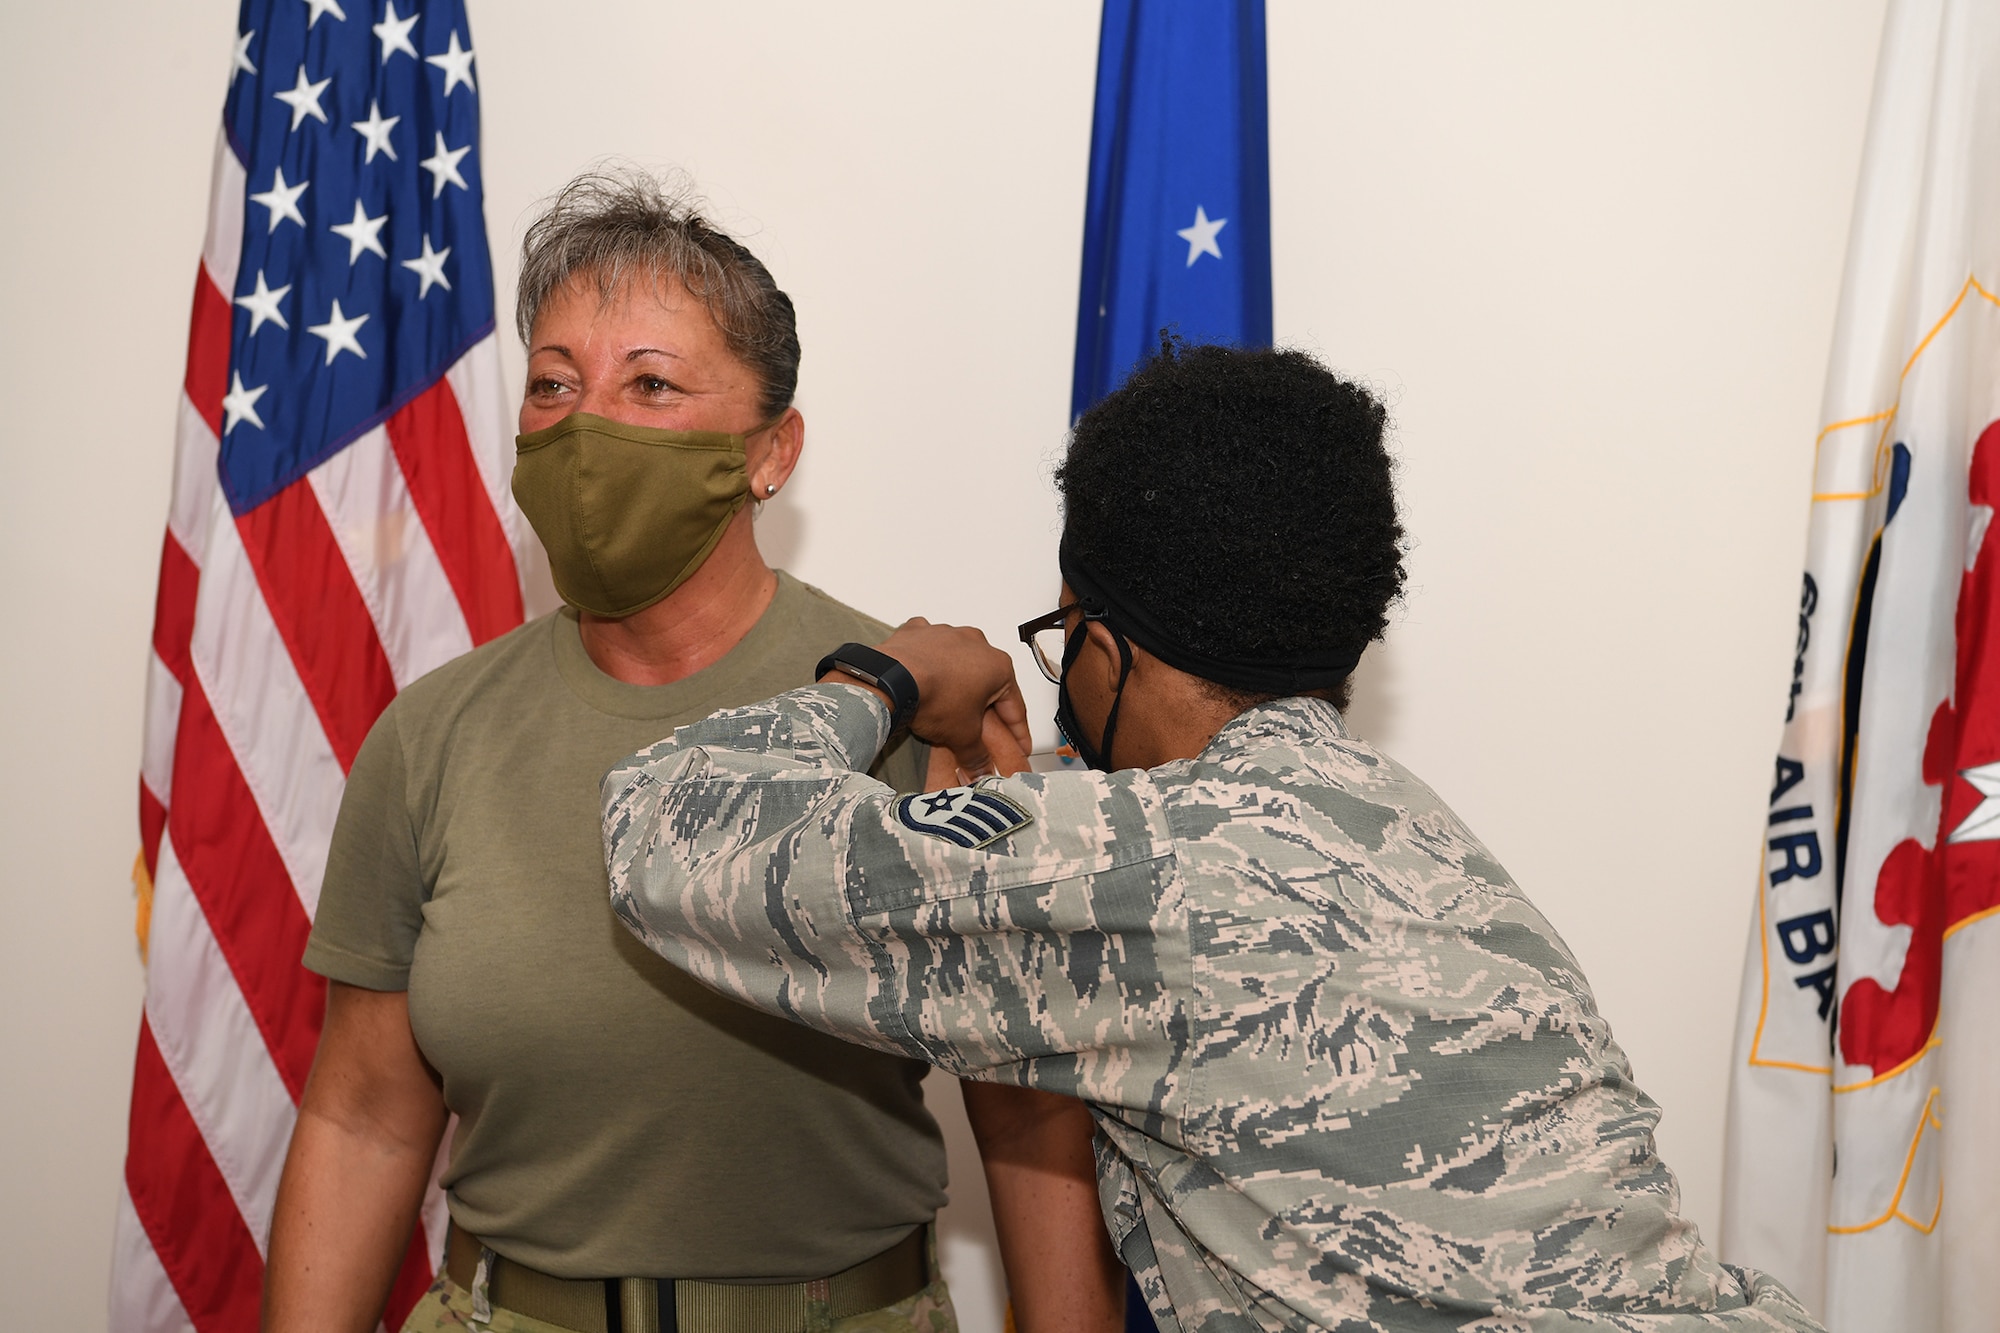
(279, 637)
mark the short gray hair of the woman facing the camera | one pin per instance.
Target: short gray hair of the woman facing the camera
(615, 225)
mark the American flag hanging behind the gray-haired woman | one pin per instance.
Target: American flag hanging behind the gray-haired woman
(341, 523)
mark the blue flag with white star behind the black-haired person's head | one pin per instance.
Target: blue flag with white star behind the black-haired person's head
(1177, 225)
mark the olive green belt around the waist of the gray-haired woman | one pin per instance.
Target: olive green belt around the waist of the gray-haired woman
(687, 1306)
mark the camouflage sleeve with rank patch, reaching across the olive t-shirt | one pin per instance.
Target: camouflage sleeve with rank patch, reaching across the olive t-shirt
(1003, 932)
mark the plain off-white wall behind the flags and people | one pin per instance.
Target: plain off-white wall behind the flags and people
(1591, 253)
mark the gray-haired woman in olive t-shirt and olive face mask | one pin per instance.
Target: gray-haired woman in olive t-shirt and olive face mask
(631, 1152)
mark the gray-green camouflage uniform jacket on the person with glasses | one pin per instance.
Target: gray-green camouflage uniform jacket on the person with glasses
(1345, 1074)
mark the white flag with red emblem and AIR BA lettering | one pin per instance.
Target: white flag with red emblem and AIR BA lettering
(1863, 1166)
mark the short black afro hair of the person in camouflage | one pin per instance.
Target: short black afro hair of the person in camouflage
(1243, 497)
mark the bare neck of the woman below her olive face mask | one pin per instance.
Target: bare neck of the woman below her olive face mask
(691, 627)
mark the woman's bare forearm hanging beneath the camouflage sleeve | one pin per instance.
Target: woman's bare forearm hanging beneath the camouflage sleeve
(1041, 1176)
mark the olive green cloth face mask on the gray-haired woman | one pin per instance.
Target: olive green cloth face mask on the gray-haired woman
(627, 513)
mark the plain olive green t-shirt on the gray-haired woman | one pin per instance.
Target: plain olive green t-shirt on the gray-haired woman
(617, 1120)
